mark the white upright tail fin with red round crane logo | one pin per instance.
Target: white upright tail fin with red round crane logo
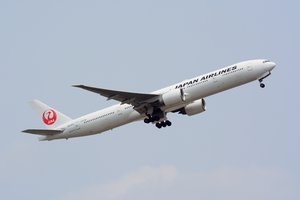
(50, 117)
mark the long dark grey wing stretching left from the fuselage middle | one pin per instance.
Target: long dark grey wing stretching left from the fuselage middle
(138, 100)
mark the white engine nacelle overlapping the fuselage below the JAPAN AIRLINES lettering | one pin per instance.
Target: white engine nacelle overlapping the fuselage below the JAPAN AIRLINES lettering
(173, 98)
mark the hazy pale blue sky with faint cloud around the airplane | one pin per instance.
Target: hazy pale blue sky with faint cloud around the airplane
(245, 146)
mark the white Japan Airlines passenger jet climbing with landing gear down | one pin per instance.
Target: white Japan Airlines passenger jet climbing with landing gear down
(186, 97)
